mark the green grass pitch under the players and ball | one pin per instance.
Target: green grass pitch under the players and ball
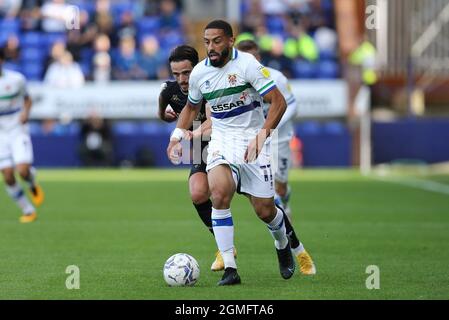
(119, 227)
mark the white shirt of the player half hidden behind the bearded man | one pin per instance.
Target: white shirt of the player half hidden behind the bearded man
(285, 126)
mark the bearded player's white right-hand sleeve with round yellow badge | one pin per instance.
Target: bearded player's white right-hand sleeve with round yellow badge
(259, 76)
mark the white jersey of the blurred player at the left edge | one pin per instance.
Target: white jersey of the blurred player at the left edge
(12, 95)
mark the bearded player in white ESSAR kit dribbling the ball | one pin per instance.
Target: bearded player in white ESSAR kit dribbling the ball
(234, 83)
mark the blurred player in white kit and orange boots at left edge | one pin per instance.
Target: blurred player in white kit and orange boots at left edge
(16, 151)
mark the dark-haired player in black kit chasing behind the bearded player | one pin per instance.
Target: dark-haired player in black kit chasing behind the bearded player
(174, 94)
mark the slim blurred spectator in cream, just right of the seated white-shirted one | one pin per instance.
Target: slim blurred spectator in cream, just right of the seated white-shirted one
(102, 59)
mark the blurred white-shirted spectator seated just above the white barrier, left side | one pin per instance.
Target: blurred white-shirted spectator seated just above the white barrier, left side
(64, 73)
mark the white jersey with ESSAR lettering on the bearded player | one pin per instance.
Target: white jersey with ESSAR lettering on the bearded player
(234, 93)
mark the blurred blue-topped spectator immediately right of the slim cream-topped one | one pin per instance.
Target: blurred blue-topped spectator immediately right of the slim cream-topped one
(126, 65)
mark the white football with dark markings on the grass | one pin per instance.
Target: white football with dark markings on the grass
(181, 269)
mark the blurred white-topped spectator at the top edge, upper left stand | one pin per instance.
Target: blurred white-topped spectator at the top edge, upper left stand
(55, 14)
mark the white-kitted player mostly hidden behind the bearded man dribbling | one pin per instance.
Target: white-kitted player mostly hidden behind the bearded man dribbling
(285, 129)
